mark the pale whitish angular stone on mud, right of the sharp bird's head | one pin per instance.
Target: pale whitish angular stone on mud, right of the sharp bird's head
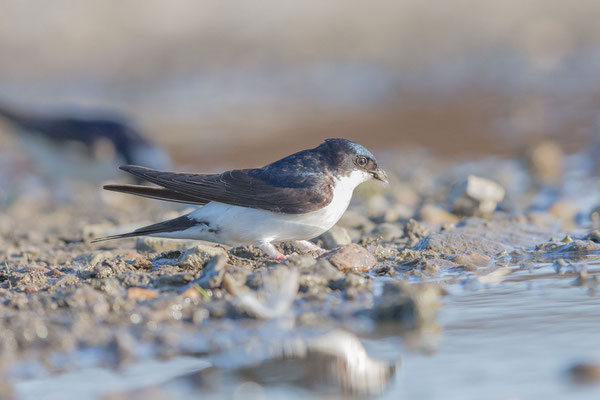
(476, 196)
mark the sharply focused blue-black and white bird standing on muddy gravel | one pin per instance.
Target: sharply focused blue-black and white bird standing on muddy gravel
(296, 198)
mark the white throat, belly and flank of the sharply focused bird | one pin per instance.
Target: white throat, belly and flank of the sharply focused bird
(235, 225)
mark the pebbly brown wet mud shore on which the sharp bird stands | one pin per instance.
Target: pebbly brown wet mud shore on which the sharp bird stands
(67, 304)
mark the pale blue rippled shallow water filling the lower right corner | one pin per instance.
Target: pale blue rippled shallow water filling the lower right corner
(515, 340)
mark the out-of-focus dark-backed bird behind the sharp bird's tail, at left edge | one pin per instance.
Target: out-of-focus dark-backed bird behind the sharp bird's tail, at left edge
(85, 147)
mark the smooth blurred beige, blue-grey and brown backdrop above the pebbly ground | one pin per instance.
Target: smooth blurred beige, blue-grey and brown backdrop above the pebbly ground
(222, 83)
